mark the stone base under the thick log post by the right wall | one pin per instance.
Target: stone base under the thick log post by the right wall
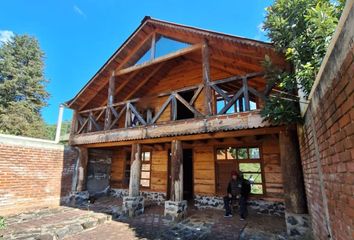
(298, 225)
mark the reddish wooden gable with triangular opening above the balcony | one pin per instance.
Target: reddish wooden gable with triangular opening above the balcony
(229, 56)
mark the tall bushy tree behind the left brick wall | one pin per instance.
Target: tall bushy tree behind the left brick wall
(22, 87)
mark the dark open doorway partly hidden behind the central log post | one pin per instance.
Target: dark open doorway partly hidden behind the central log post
(187, 174)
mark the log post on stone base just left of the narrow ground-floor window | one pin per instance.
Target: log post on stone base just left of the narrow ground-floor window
(133, 205)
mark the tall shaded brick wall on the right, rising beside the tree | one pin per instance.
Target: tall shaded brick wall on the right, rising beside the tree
(327, 140)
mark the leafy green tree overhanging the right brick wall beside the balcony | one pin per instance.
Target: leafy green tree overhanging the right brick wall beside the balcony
(302, 30)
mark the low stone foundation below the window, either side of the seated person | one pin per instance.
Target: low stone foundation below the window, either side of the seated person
(261, 206)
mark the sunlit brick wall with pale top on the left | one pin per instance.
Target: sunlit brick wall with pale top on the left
(33, 173)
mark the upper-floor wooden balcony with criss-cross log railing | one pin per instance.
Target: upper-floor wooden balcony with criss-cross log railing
(234, 105)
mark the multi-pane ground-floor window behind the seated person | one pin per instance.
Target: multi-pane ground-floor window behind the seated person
(244, 159)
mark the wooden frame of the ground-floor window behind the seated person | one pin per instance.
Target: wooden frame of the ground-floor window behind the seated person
(239, 161)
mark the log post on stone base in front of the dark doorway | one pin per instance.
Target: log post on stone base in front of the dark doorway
(176, 207)
